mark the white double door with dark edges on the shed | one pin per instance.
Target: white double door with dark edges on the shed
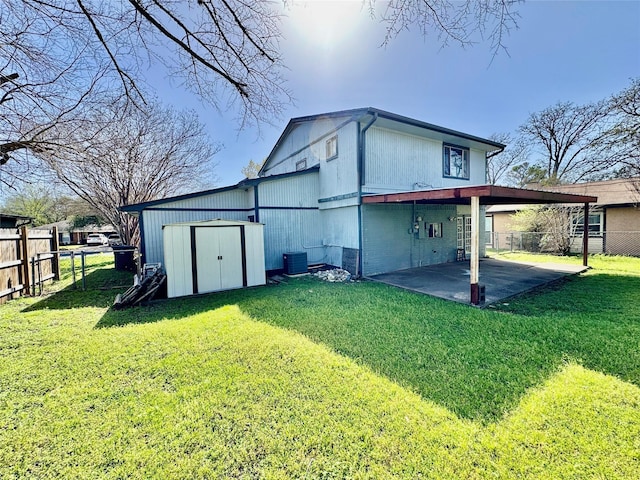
(218, 258)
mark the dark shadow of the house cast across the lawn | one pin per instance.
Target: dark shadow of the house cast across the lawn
(477, 363)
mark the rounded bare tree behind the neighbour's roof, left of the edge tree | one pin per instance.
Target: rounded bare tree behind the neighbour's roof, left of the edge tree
(566, 138)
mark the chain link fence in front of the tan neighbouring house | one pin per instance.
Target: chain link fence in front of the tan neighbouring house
(611, 243)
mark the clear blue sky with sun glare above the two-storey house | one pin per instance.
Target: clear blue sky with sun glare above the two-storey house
(579, 51)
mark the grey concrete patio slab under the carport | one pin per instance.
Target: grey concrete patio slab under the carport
(502, 279)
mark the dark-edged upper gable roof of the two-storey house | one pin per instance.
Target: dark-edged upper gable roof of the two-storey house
(393, 121)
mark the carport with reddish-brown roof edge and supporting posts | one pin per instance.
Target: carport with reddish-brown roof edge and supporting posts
(485, 195)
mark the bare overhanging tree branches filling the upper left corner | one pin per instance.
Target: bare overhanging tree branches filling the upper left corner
(57, 57)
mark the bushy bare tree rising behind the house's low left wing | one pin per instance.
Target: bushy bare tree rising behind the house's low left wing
(135, 156)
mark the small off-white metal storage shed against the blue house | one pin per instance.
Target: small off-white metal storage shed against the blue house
(213, 255)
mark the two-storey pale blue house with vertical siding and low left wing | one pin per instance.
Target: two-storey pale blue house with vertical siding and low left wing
(364, 189)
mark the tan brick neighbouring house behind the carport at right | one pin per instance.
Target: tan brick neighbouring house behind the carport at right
(614, 220)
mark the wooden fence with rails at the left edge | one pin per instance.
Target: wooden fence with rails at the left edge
(28, 258)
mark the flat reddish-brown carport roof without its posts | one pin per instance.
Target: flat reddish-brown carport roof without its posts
(488, 194)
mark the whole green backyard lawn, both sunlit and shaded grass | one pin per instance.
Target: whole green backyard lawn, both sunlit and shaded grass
(315, 380)
